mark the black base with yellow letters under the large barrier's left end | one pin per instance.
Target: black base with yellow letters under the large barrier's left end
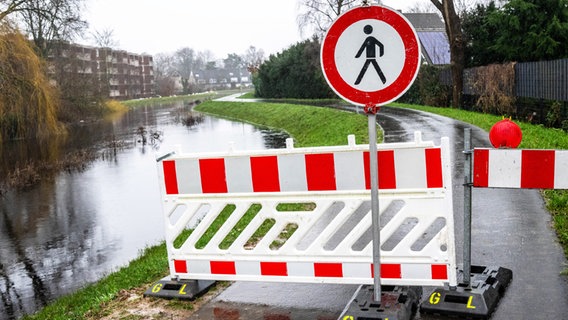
(178, 289)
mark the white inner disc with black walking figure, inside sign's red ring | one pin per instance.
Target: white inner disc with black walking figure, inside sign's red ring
(370, 58)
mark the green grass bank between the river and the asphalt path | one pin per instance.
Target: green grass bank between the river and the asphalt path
(310, 126)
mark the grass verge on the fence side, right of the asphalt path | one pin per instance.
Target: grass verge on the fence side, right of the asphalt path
(534, 137)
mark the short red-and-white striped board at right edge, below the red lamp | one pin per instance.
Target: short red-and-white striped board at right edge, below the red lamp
(517, 168)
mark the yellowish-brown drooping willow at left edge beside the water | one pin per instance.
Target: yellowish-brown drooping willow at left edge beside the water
(28, 102)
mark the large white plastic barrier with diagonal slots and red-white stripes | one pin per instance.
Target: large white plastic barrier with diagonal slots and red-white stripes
(303, 215)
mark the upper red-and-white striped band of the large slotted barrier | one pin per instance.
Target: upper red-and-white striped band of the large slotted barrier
(310, 170)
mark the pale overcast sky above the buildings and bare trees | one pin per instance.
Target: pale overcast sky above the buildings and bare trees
(221, 26)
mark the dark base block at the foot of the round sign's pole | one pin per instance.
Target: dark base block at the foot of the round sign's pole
(397, 303)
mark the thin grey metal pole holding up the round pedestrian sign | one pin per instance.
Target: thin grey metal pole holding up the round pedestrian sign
(374, 177)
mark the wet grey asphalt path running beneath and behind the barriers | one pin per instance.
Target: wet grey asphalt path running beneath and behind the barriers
(510, 229)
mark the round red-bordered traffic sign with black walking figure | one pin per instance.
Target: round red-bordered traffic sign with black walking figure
(370, 55)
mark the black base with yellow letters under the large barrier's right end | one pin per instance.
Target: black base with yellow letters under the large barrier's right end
(488, 285)
